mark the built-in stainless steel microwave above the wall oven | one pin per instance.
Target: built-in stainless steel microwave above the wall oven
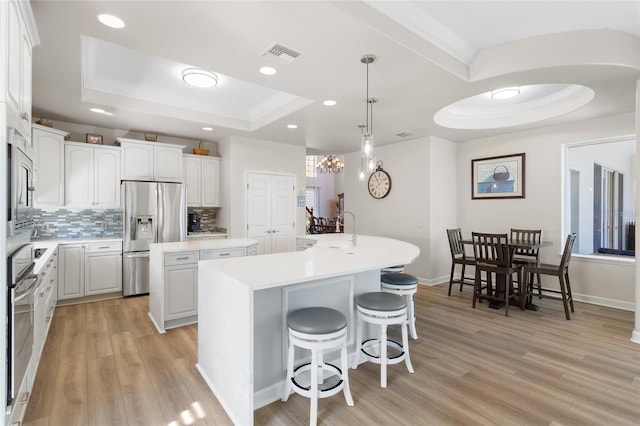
(19, 185)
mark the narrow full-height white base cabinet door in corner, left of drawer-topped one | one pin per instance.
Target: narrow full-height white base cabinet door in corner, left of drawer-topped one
(70, 271)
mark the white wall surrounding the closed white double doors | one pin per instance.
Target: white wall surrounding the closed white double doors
(241, 155)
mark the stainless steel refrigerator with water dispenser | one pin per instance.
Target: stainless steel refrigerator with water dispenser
(153, 213)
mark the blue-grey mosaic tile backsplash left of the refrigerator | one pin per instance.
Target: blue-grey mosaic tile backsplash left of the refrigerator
(84, 223)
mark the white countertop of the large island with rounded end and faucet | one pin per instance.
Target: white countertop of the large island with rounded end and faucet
(332, 256)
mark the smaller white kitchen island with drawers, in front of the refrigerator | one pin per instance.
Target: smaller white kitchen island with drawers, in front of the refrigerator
(173, 276)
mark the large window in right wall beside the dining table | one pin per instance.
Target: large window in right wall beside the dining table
(600, 197)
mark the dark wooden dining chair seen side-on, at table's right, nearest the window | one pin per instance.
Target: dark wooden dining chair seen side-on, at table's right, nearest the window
(561, 271)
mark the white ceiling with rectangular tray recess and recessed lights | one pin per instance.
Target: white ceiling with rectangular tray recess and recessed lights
(429, 55)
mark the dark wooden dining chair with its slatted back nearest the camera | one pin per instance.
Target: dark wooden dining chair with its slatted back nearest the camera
(493, 256)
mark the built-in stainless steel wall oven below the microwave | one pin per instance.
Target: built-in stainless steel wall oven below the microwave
(22, 284)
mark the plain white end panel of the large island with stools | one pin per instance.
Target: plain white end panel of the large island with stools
(225, 341)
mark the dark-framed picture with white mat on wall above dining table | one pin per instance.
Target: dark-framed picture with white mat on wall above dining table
(498, 177)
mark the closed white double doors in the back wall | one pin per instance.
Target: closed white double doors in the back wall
(270, 212)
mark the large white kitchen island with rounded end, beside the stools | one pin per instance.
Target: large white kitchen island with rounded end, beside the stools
(243, 304)
